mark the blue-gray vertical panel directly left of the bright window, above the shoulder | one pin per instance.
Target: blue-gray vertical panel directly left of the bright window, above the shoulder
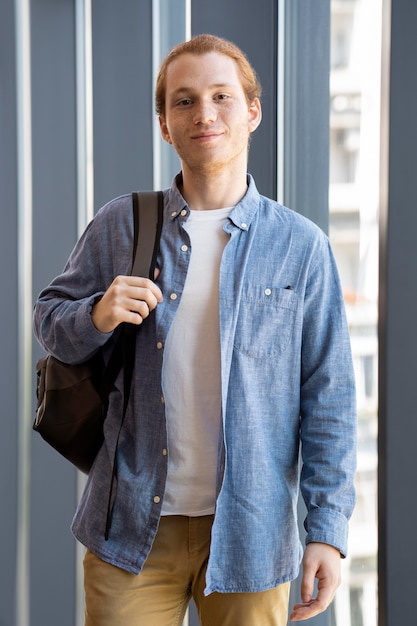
(306, 168)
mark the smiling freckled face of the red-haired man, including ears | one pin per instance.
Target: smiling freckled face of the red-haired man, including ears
(207, 117)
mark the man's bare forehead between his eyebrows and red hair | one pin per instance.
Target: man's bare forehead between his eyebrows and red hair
(190, 71)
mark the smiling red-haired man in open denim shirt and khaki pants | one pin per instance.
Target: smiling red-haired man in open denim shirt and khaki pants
(243, 357)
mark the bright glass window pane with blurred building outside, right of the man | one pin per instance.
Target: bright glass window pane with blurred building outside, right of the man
(353, 228)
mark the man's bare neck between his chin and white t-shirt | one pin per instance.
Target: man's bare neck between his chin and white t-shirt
(204, 191)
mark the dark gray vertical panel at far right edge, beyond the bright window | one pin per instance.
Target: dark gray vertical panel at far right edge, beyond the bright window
(397, 328)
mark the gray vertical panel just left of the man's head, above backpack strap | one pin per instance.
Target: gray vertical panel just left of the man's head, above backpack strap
(123, 107)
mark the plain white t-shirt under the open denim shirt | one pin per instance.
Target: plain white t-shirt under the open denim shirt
(191, 374)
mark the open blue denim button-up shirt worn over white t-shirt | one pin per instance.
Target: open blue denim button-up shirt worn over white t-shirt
(287, 384)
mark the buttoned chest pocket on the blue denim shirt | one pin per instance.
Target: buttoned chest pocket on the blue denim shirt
(266, 321)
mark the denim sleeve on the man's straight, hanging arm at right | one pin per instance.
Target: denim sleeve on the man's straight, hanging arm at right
(328, 406)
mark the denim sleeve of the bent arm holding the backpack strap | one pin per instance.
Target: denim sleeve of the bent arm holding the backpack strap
(62, 312)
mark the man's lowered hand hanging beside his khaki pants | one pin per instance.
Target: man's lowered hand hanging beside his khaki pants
(320, 561)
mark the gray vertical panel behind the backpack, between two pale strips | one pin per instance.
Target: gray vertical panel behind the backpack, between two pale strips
(53, 494)
